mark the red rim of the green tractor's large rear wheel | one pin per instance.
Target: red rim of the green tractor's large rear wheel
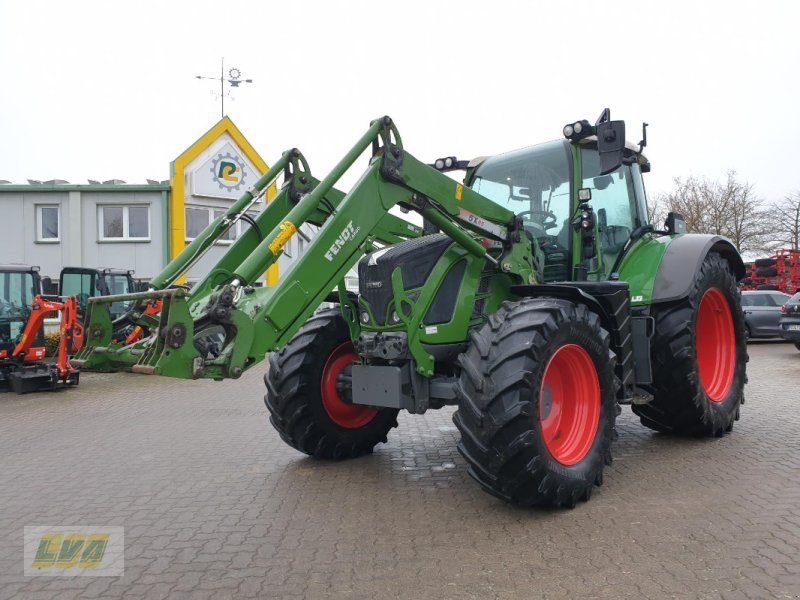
(715, 344)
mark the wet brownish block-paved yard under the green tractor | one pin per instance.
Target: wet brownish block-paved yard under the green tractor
(214, 505)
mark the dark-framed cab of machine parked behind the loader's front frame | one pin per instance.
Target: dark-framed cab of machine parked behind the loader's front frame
(85, 283)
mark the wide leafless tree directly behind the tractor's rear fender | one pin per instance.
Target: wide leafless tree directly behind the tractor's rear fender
(730, 208)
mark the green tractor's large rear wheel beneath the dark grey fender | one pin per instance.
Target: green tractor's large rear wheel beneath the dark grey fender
(699, 356)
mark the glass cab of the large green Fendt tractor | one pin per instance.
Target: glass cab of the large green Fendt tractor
(579, 201)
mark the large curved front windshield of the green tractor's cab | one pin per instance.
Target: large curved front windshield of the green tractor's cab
(534, 183)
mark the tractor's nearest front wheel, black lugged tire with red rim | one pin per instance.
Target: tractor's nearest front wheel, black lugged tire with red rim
(537, 403)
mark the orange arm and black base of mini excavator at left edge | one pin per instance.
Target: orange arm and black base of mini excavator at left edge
(19, 374)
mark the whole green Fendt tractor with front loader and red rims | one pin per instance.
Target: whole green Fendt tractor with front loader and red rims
(536, 298)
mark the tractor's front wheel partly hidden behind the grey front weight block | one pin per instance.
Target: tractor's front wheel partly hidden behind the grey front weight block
(305, 406)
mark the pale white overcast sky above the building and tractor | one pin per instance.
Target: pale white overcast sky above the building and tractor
(107, 90)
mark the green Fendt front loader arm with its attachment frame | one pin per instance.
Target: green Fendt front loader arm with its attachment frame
(225, 325)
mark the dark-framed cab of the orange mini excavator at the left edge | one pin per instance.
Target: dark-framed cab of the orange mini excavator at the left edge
(19, 285)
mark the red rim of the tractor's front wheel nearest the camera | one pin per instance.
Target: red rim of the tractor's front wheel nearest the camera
(569, 404)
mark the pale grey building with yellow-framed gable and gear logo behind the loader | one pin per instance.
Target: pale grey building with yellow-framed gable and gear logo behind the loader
(137, 226)
